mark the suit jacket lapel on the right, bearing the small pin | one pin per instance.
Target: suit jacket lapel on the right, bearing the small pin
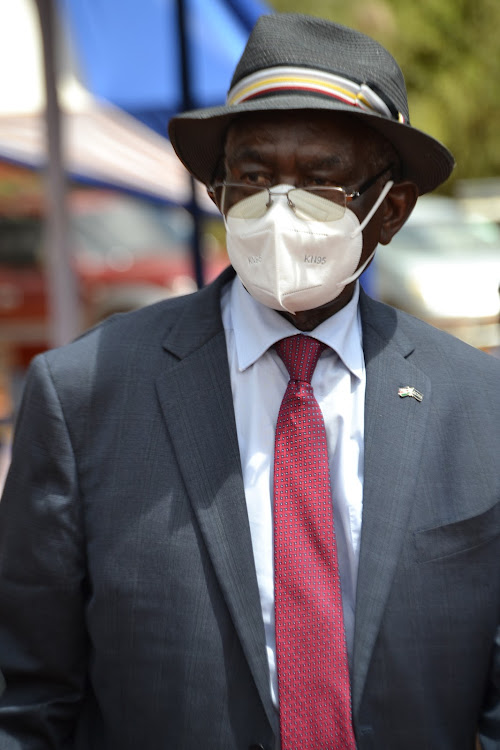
(394, 434)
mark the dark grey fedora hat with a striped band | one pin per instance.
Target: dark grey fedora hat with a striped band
(295, 62)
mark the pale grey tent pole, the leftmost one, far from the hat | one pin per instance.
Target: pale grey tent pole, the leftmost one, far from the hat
(64, 323)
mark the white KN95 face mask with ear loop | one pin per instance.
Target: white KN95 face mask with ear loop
(290, 264)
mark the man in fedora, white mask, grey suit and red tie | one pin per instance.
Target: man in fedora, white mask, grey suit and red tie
(155, 466)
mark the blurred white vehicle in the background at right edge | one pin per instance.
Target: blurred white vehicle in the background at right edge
(444, 267)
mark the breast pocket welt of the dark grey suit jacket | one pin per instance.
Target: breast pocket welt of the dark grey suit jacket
(459, 537)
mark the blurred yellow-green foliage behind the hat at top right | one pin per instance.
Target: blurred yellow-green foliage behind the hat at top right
(449, 53)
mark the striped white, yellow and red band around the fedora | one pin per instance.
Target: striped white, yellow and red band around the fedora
(284, 79)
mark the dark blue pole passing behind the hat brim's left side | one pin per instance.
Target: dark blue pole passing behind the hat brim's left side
(187, 103)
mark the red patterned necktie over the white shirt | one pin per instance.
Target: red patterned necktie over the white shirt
(313, 674)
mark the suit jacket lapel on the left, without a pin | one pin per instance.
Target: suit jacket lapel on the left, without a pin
(196, 399)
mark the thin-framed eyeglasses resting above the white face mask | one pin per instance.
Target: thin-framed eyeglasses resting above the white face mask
(243, 201)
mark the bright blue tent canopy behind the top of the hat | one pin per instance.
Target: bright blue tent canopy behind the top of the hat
(129, 52)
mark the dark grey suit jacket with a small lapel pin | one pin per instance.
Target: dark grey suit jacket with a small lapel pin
(129, 607)
